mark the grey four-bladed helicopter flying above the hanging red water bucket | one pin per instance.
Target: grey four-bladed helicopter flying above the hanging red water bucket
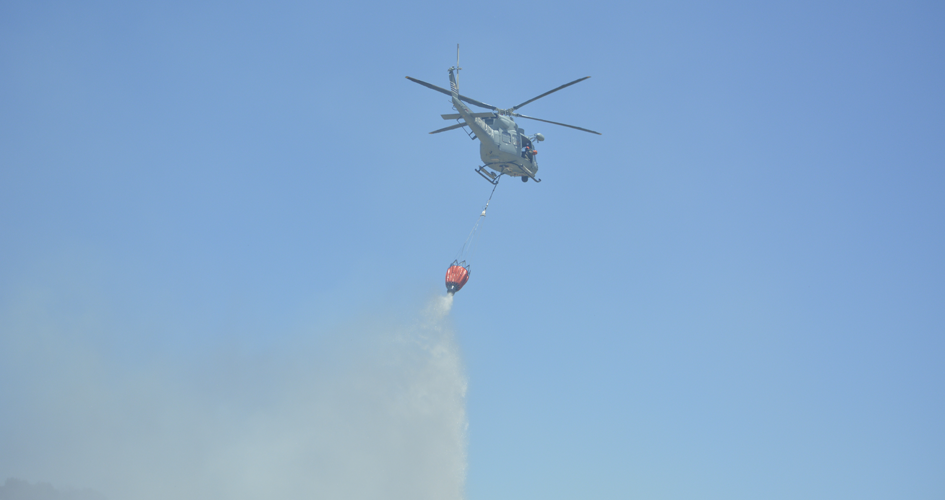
(503, 146)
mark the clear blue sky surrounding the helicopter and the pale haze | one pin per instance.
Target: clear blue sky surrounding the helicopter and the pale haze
(737, 291)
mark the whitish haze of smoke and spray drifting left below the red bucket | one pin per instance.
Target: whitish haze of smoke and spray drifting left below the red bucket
(375, 409)
